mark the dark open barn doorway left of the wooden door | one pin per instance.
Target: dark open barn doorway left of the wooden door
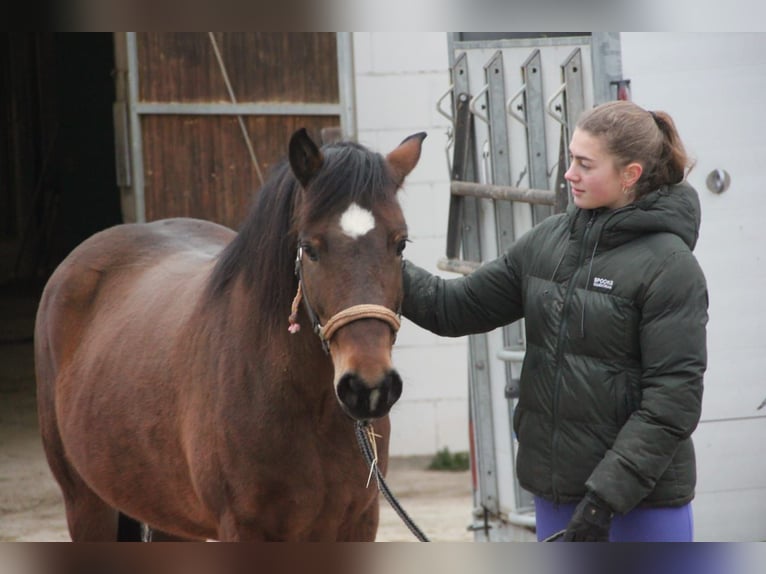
(57, 166)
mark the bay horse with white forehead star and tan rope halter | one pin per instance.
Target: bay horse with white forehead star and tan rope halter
(173, 391)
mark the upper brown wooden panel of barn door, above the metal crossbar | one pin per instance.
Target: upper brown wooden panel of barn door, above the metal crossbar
(262, 67)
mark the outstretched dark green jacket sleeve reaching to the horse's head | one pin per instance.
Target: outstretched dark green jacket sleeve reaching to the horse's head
(481, 301)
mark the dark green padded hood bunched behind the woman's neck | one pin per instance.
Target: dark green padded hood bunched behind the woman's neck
(671, 209)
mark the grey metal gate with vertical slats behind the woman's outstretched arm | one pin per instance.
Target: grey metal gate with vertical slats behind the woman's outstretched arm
(515, 100)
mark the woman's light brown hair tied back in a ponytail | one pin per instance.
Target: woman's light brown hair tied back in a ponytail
(633, 134)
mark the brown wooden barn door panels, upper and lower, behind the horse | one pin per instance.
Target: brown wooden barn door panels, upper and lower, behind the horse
(199, 165)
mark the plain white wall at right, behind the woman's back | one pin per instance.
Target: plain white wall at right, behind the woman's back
(713, 85)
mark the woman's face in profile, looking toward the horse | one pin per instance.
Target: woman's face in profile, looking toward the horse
(592, 175)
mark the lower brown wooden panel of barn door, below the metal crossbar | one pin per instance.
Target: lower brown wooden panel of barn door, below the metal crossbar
(198, 166)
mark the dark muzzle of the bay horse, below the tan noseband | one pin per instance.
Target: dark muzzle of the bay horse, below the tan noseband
(363, 400)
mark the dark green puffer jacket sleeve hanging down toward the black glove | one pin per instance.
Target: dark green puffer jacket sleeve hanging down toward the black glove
(673, 361)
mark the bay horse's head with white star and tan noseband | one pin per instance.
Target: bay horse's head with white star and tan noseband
(351, 233)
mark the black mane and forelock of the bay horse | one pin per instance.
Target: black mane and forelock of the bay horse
(263, 253)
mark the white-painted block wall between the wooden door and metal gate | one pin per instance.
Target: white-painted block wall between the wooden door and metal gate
(398, 78)
